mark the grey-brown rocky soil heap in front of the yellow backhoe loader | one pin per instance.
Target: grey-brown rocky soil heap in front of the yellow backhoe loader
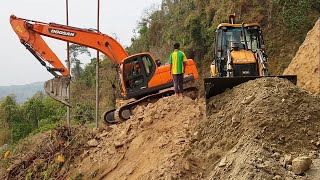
(254, 130)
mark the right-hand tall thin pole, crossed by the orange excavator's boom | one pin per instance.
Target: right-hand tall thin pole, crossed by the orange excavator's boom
(97, 70)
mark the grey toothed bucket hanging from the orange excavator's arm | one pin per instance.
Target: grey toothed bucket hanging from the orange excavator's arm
(57, 88)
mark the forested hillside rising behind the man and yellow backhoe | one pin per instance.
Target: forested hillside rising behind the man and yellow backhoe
(285, 24)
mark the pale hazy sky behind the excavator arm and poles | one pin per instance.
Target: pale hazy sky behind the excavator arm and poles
(19, 66)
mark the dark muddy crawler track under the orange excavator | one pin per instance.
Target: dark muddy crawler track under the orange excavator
(124, 112)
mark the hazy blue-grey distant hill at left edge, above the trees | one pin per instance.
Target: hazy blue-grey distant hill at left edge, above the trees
(21, 92)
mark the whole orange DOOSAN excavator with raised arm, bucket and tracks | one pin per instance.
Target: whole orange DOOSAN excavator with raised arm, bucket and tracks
(140, 76)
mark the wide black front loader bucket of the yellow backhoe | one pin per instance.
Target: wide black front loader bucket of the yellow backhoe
(215, 86)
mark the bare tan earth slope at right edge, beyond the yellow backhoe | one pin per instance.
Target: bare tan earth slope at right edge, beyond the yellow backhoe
(306, 63)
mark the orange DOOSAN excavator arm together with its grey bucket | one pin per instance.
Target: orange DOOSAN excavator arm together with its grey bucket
(30, 33)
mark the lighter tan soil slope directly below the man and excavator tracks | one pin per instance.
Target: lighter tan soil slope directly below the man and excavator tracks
(150, 145)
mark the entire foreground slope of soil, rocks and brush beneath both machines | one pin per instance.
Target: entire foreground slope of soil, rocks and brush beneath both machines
(263, 129)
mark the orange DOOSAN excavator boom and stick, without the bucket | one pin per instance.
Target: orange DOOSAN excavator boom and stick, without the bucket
(30, 32)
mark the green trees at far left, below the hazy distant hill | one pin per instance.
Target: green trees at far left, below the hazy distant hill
(37, 114)
